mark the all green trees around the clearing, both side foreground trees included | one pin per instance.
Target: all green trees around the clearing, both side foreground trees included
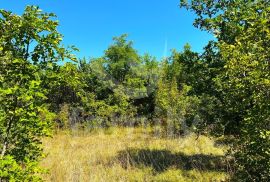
(223, 92)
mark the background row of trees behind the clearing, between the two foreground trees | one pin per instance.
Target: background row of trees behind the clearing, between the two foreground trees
(123, 85)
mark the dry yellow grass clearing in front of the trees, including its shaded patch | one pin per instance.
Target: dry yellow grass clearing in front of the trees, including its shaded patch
(128, 154)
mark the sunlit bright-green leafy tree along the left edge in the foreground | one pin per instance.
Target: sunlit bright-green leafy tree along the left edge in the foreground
(29, 45)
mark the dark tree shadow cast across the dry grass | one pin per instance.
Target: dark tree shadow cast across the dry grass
(161, 160)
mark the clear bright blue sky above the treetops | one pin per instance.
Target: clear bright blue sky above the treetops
(155, 26)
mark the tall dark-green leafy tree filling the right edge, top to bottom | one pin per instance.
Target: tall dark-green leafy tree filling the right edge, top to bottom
(242, 30)
